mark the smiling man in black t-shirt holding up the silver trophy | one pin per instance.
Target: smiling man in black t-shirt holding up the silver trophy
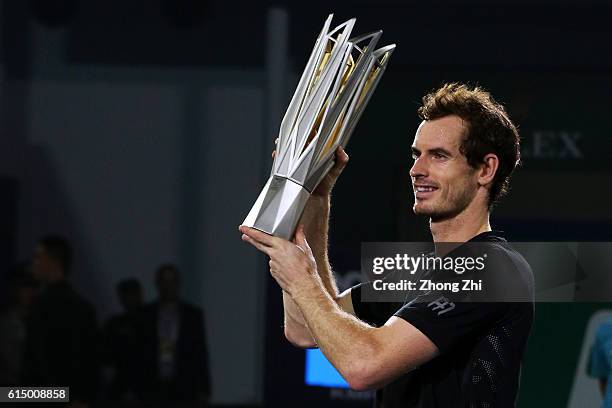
(464, 152)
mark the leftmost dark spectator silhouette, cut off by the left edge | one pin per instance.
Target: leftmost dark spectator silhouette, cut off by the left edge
(22, 289)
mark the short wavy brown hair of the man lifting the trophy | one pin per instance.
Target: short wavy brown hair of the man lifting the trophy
(489, 129)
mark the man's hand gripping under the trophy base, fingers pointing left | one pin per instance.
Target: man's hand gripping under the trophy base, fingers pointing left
(292, 264)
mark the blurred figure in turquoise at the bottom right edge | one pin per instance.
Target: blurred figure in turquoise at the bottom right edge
(600, 362)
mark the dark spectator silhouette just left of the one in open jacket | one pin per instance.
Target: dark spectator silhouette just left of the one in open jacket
(123, 339)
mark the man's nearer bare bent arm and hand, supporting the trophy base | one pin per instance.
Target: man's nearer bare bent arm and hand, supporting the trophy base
(367, 357)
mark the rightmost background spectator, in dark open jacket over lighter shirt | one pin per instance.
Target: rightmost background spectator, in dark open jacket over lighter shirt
(175, 348)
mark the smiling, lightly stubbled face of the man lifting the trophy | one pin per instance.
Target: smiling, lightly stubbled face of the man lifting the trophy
(443, 182)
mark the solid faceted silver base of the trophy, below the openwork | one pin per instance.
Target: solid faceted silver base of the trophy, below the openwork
(278, 207)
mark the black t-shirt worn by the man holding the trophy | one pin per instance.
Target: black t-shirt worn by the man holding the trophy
(480, 344)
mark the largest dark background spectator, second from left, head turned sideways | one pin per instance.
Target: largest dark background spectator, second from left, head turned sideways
(61, 340)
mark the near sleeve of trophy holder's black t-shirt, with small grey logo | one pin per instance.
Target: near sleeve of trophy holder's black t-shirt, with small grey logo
(449, 323)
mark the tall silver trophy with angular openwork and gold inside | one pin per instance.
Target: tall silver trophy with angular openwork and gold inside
(336, 85)
